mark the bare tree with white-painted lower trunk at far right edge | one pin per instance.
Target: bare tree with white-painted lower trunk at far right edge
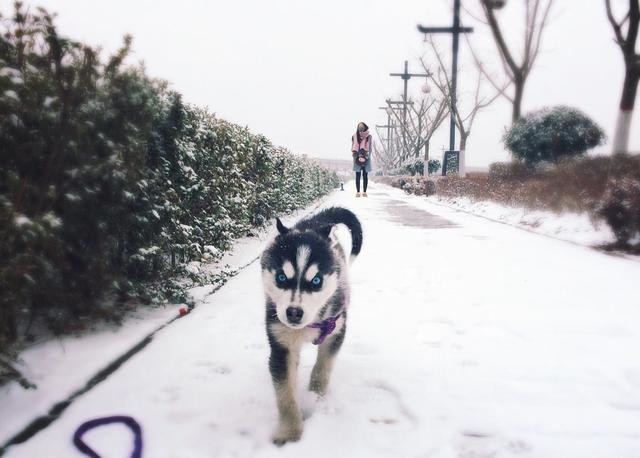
(631, 22)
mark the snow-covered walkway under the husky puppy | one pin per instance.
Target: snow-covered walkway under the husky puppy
(466, 338)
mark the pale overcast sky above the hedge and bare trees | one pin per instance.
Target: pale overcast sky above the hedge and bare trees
(303, 73)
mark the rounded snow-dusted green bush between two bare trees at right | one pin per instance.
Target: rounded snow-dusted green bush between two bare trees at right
(551, 133)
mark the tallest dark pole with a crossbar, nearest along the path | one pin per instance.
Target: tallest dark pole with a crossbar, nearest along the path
(455, 31)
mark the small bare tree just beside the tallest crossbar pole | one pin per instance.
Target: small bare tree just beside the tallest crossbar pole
(464, 118)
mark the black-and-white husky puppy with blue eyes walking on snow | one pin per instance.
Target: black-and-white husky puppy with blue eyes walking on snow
(304, 274)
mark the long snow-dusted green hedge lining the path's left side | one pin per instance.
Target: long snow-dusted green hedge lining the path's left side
(110, 186)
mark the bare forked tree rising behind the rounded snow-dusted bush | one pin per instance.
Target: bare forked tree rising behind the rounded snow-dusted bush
(536, 19)
